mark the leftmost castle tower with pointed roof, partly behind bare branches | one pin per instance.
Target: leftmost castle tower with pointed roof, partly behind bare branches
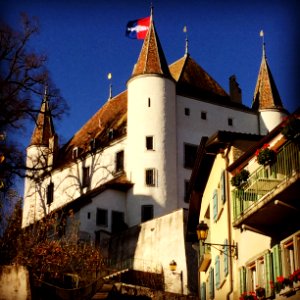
(40, 156)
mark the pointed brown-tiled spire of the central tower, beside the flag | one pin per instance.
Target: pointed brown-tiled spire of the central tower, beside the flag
(151, 59)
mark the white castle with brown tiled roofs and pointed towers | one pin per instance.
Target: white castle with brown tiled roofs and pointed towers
(131, 162)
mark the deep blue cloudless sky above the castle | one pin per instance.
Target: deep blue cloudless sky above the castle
(85, 40)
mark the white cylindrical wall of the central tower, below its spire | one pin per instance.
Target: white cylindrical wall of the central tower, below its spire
(158, 120)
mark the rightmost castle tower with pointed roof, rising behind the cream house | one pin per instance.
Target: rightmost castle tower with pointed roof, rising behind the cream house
(266, 98)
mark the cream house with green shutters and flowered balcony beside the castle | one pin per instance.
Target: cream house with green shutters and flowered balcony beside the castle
(250, 205)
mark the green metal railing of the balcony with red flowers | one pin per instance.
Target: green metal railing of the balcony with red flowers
(265, 179)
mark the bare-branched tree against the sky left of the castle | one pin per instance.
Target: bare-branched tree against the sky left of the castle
(23, 77)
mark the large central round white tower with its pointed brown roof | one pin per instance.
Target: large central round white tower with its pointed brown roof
(151, 134)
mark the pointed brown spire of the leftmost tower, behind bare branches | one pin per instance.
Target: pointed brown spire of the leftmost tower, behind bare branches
(44, 128)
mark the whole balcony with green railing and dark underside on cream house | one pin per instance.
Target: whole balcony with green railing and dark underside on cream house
(269, 201)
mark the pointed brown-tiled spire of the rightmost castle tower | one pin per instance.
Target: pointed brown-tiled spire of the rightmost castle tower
(266, 94)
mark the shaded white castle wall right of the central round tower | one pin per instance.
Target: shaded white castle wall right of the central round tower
(191, 128)
